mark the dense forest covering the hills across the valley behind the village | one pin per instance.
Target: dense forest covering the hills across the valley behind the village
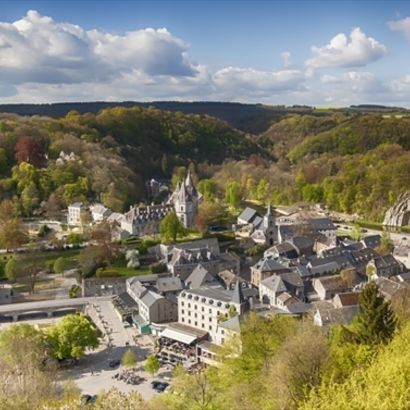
(352, 162)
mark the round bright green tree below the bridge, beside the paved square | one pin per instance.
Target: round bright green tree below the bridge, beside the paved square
(70, 337)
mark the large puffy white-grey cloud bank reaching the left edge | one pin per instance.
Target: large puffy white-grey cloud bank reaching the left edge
(38, 49)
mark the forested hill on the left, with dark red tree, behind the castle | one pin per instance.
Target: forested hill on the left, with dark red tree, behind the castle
(112, 154)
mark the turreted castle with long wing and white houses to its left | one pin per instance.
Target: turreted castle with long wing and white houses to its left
(141, 220)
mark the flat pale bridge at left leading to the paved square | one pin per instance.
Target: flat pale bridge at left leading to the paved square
(46, 308)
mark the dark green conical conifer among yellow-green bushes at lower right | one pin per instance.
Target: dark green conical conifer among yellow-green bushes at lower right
(375, 322)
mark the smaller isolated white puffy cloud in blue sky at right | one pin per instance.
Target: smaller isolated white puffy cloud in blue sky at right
(340, 52)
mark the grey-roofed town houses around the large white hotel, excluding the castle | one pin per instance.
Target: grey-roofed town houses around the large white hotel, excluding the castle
(200, 301)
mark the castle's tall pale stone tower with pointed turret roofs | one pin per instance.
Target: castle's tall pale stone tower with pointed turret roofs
(186, 200)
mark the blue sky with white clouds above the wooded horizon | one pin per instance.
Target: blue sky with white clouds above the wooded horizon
(322, 53)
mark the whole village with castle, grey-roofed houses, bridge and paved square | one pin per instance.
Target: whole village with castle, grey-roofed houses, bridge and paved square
(283, 261)
